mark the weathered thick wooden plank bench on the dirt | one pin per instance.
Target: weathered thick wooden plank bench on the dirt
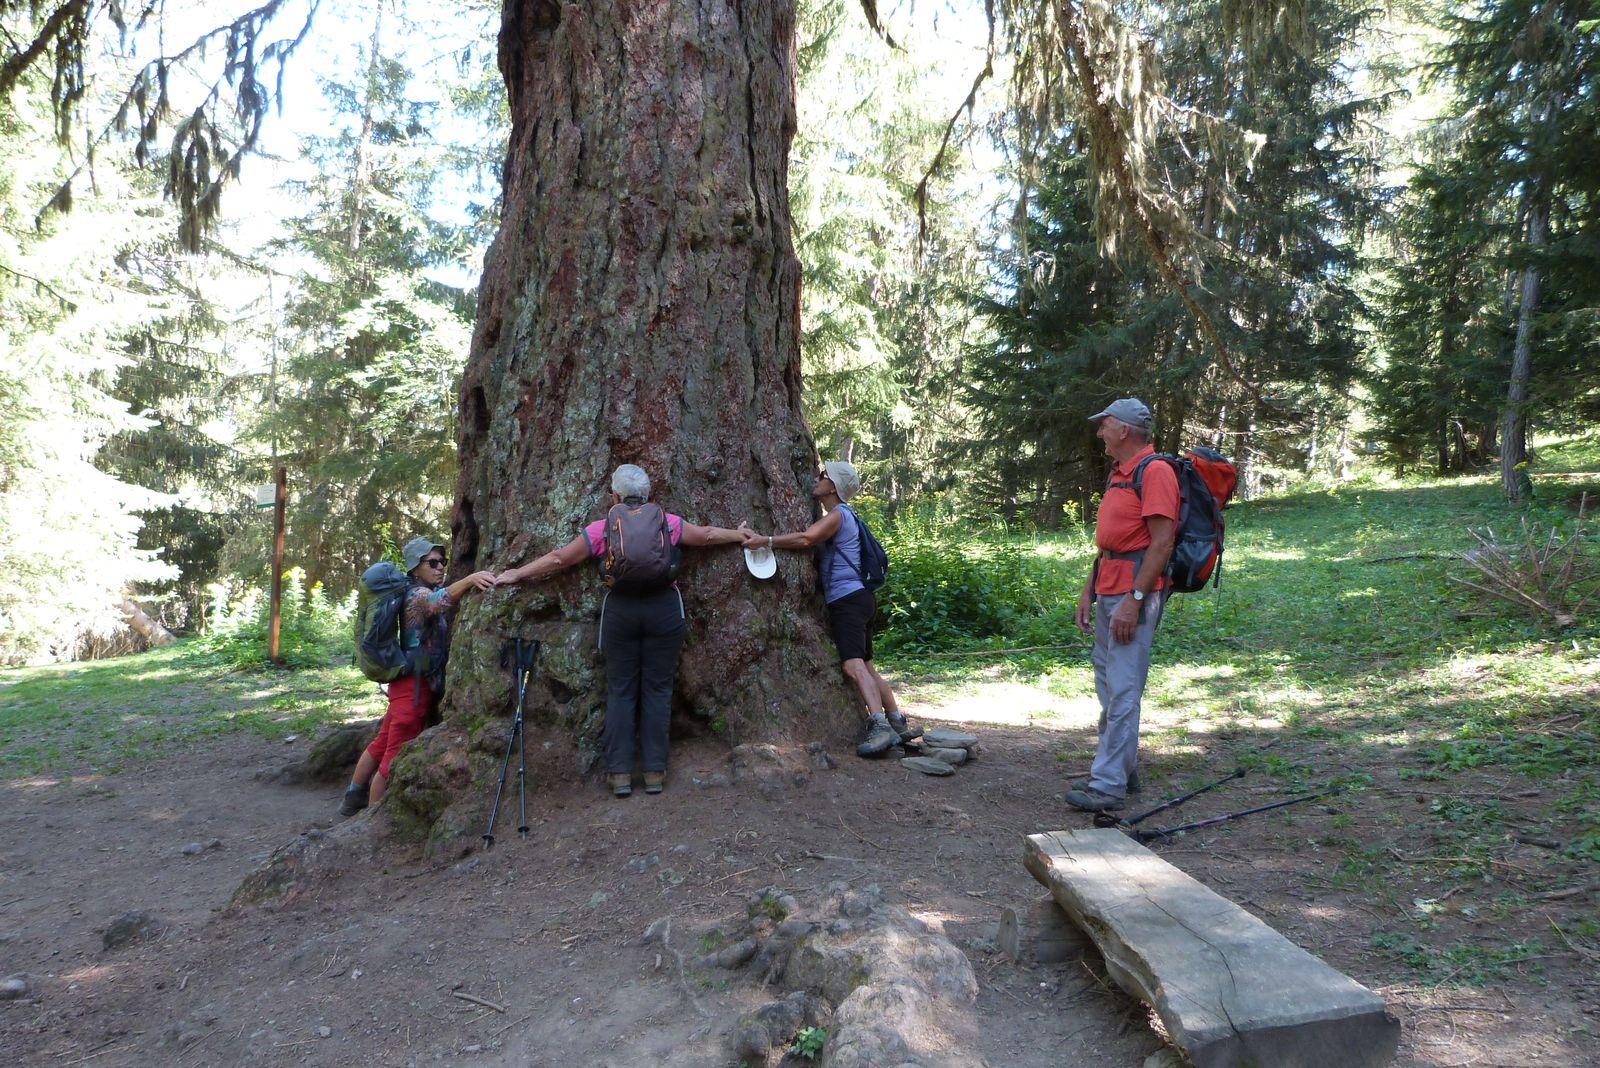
(1231, 990)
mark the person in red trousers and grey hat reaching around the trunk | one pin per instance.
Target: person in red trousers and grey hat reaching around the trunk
(412, 698)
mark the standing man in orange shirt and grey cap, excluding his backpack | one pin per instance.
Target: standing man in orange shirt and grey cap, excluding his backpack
(1122, 600)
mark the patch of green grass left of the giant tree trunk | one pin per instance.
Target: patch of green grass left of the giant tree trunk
(102, 715)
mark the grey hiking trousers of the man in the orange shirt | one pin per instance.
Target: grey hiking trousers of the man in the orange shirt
(1121, 672)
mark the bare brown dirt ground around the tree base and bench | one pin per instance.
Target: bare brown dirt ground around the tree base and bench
(369, 970)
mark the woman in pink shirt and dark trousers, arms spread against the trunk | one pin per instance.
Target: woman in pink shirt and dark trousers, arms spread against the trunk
(642, 621)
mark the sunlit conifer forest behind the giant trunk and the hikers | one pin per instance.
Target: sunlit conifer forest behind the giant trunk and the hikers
(1396, 228)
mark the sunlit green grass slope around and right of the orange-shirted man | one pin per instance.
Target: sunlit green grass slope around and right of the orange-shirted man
(1338, 653)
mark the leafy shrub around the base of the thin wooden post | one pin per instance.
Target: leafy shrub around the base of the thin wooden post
(313, 628)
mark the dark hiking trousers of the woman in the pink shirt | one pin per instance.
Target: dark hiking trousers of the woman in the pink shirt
(639, 639)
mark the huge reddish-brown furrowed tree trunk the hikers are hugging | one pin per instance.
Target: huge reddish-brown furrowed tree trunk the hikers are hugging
(641, 305)
